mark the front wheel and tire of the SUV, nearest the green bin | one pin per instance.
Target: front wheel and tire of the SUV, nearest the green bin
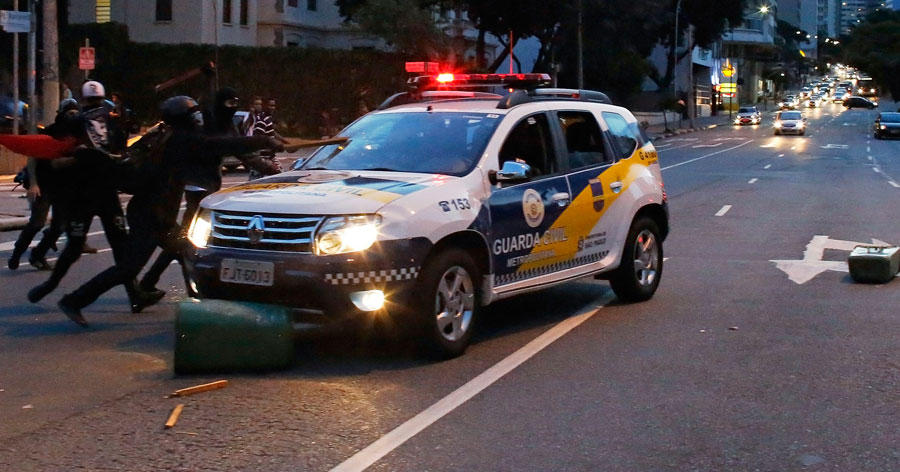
(446, 317)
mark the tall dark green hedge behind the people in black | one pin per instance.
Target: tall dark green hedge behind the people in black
(304, 81)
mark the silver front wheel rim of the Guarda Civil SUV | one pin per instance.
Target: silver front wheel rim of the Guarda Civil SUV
(454, 303)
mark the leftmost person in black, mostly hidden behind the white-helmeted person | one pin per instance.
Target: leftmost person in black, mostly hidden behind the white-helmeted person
(42, 192)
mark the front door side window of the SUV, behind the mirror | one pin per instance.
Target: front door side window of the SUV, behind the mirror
(530, 142)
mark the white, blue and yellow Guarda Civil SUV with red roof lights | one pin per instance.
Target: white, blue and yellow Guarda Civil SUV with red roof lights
(443, 201)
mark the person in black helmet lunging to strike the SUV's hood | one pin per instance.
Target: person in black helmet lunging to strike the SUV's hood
(153, 210)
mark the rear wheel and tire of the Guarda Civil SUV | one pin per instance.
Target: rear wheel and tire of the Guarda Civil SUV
(643, 246)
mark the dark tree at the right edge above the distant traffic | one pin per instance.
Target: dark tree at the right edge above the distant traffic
(872, 47)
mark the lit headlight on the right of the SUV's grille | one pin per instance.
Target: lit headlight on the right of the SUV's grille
(343, 234)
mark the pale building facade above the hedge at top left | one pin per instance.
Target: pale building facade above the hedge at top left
(279, 23)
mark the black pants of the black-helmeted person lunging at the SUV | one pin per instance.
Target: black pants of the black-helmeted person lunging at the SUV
(143, 239)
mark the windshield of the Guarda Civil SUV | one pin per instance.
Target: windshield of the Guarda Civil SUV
(434, 143)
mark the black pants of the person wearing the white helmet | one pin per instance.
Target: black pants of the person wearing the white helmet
(78, 215)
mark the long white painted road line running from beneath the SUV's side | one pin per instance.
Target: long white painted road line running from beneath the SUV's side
(392, 440)
